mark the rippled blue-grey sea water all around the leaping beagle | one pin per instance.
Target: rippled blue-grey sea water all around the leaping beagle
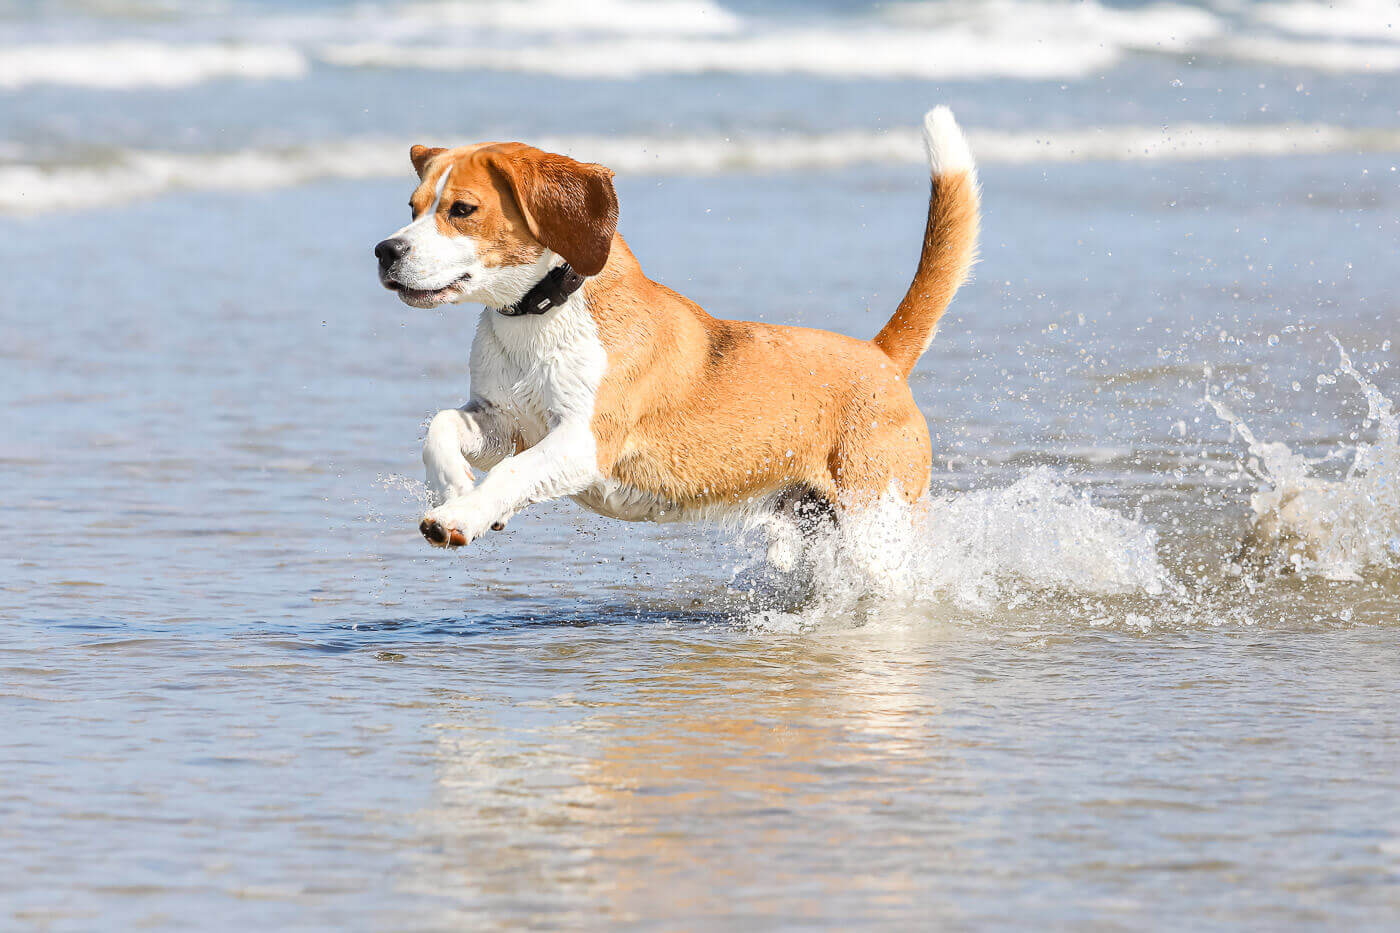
(241, 690)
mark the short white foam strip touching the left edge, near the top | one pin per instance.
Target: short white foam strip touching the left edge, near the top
(141, 64)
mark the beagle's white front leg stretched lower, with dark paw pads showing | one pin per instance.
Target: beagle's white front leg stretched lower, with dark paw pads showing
(562, 464)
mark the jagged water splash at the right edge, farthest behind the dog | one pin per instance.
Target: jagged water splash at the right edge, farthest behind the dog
(1336, 529)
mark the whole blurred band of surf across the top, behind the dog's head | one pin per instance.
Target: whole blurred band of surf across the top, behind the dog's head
(106, 102)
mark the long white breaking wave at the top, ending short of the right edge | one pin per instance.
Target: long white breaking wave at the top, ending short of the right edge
(1003, 39)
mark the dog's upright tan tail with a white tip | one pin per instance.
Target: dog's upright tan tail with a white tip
(950, 243)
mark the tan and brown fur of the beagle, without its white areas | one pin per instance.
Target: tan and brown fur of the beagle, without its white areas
(699, 411)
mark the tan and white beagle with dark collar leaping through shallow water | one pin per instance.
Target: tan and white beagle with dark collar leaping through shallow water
(590, 380)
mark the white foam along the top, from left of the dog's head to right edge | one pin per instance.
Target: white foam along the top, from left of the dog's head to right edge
(954, 40)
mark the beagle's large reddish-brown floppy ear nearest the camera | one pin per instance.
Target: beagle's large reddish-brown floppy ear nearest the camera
(569, 207)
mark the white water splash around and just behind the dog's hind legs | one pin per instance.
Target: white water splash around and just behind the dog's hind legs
(974, 551)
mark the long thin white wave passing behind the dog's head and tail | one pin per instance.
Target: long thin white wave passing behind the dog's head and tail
(139, 174)
